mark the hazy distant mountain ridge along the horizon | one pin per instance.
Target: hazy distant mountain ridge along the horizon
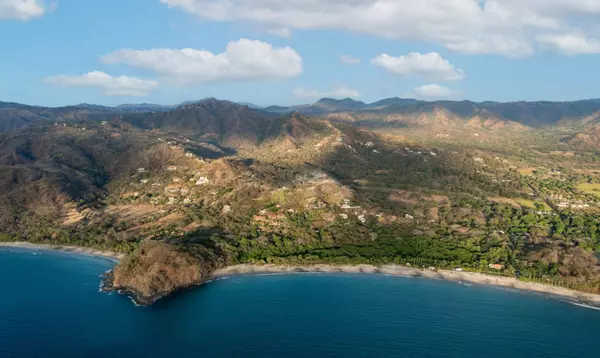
(395, 112)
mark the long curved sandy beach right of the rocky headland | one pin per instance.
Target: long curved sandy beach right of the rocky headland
(395, 270)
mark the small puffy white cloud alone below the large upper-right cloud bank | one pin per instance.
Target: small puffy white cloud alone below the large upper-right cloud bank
(429, 65)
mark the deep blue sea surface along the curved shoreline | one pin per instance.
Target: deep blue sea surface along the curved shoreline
(50, 307)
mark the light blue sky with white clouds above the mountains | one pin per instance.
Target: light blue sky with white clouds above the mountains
(287, 52)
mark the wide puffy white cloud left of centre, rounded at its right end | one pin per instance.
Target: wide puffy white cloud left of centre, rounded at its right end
(243, 60)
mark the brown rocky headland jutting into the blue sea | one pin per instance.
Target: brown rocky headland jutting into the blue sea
(157, 269)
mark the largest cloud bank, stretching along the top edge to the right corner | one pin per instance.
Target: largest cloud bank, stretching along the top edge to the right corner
(506, 27)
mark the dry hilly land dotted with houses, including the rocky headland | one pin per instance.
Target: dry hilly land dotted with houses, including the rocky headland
(187, 190)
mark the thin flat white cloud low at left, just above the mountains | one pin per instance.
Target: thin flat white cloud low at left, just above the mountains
(110, 86)
